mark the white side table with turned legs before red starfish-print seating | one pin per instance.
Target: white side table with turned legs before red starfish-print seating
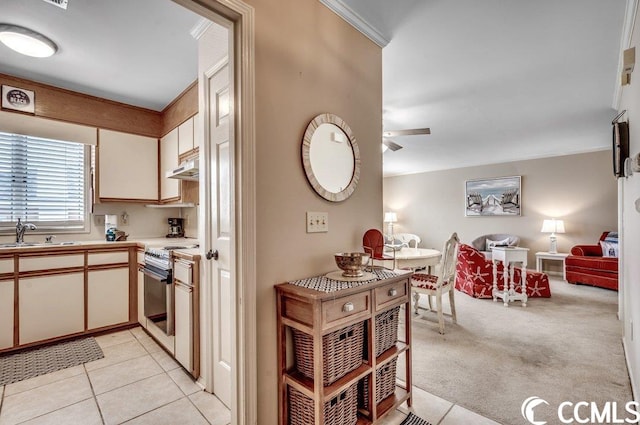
(510, 257)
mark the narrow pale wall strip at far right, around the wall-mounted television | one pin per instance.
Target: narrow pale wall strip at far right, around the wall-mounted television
(630, 217)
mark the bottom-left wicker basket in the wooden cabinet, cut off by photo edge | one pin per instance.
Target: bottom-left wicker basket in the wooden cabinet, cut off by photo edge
(341, 410)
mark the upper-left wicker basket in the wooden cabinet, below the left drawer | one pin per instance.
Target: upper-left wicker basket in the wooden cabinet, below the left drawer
(342, 352)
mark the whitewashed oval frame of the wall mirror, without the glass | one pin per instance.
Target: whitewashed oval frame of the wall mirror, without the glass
(328, 118)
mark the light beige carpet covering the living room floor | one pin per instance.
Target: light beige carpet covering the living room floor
(564, 348)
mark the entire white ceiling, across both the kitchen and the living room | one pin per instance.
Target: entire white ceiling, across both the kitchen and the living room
(495, 80)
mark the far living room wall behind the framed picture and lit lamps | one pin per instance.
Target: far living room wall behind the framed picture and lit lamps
(580, 189)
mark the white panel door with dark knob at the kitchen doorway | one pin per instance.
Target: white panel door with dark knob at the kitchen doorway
(222, 231)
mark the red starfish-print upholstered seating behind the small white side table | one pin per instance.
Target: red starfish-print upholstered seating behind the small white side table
(474, 276)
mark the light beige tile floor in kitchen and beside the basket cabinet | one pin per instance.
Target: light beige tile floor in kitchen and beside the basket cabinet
(137, 383)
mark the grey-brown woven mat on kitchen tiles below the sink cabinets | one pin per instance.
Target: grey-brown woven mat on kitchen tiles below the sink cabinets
(42, 360)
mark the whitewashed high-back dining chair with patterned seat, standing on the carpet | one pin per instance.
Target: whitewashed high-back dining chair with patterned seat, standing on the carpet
(439, 283)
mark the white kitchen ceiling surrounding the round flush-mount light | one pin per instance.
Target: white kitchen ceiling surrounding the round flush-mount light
(138, 52)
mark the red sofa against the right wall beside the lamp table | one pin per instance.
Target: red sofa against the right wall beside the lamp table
(587, 265)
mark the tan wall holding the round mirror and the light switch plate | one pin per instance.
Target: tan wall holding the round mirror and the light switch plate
(308, 61)
